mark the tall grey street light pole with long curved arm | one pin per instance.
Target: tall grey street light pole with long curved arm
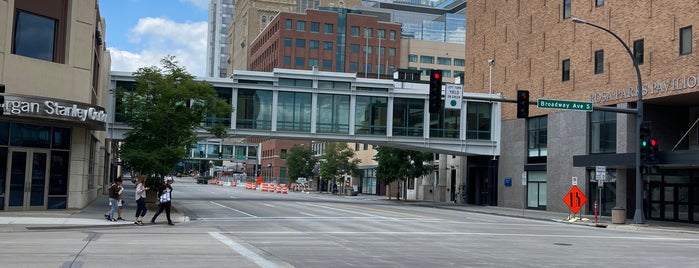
(638, 214)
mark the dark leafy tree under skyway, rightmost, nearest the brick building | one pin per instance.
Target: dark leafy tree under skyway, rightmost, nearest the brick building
(399, 164)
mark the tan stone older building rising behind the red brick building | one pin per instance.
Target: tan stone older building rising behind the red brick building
(252, 16)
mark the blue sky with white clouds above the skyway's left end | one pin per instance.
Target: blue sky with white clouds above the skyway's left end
(141, 32)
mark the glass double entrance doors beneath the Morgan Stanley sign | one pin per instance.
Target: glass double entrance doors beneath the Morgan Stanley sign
(28, 176)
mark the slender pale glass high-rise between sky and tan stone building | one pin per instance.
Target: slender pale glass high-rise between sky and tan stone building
(221, 13)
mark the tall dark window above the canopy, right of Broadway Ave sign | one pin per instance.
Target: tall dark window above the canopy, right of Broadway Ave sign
(602, 132)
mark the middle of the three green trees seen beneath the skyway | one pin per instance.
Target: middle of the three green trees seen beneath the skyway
(338, 162)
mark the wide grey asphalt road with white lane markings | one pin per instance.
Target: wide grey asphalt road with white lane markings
(234, 227)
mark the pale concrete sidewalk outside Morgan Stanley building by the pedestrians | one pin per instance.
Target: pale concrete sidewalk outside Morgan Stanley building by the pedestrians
(90, 216)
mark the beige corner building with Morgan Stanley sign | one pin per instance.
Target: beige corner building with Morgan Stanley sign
(53, 87)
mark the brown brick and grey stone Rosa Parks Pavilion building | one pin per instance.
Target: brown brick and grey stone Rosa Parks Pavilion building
(537, 46)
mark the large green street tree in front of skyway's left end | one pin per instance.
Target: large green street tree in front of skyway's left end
(164, 111)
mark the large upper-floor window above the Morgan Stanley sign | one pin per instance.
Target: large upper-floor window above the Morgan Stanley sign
(35, 36)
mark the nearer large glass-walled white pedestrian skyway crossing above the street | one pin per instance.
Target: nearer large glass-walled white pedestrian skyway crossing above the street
(328, 106)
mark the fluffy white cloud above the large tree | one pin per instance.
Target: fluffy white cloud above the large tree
(155, 38)
